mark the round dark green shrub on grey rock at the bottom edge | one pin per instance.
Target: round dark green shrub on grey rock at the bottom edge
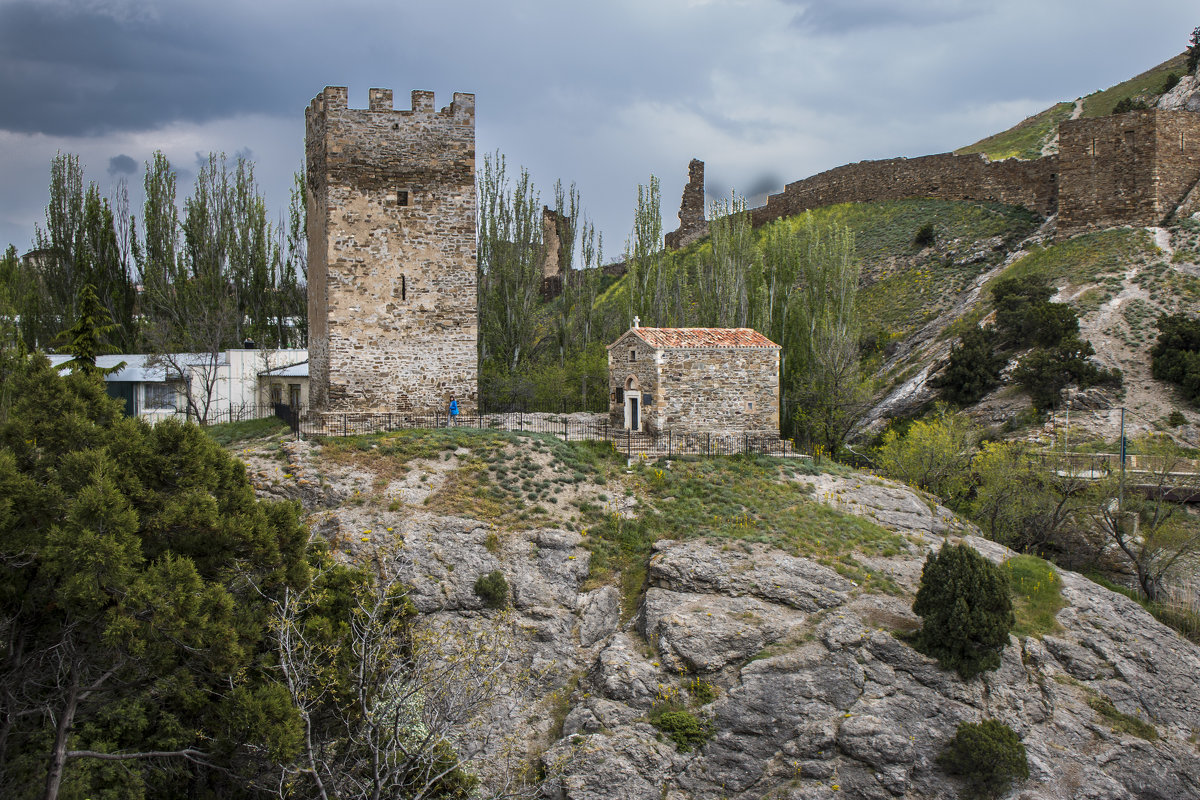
(987, 756)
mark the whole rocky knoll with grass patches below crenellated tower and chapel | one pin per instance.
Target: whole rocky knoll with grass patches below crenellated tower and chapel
(736, 628)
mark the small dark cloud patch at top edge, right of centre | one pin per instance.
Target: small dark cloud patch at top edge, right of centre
(851, 16)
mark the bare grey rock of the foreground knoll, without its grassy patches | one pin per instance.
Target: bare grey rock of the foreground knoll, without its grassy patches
(814, 694)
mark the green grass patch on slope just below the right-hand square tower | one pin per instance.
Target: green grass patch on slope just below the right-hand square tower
(1088, 258)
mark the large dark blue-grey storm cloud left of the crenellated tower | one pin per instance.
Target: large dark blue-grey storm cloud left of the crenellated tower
(81, 71)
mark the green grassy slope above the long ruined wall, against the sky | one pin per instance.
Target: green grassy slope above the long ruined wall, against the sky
(1027, 139)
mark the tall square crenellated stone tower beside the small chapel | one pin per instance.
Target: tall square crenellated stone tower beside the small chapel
(393, 317)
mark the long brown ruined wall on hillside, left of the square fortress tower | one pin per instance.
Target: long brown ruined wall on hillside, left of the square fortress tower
(1031, 184)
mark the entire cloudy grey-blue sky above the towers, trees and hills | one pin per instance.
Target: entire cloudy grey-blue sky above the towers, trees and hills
(603, 94)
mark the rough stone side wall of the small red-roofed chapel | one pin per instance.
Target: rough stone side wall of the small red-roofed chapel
(719, 390)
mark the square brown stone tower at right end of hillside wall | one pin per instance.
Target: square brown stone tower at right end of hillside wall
(1126, 170)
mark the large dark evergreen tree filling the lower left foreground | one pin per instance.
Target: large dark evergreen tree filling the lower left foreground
(134, 651)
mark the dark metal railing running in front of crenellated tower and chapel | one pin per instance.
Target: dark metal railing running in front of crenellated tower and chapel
(568, 428)
